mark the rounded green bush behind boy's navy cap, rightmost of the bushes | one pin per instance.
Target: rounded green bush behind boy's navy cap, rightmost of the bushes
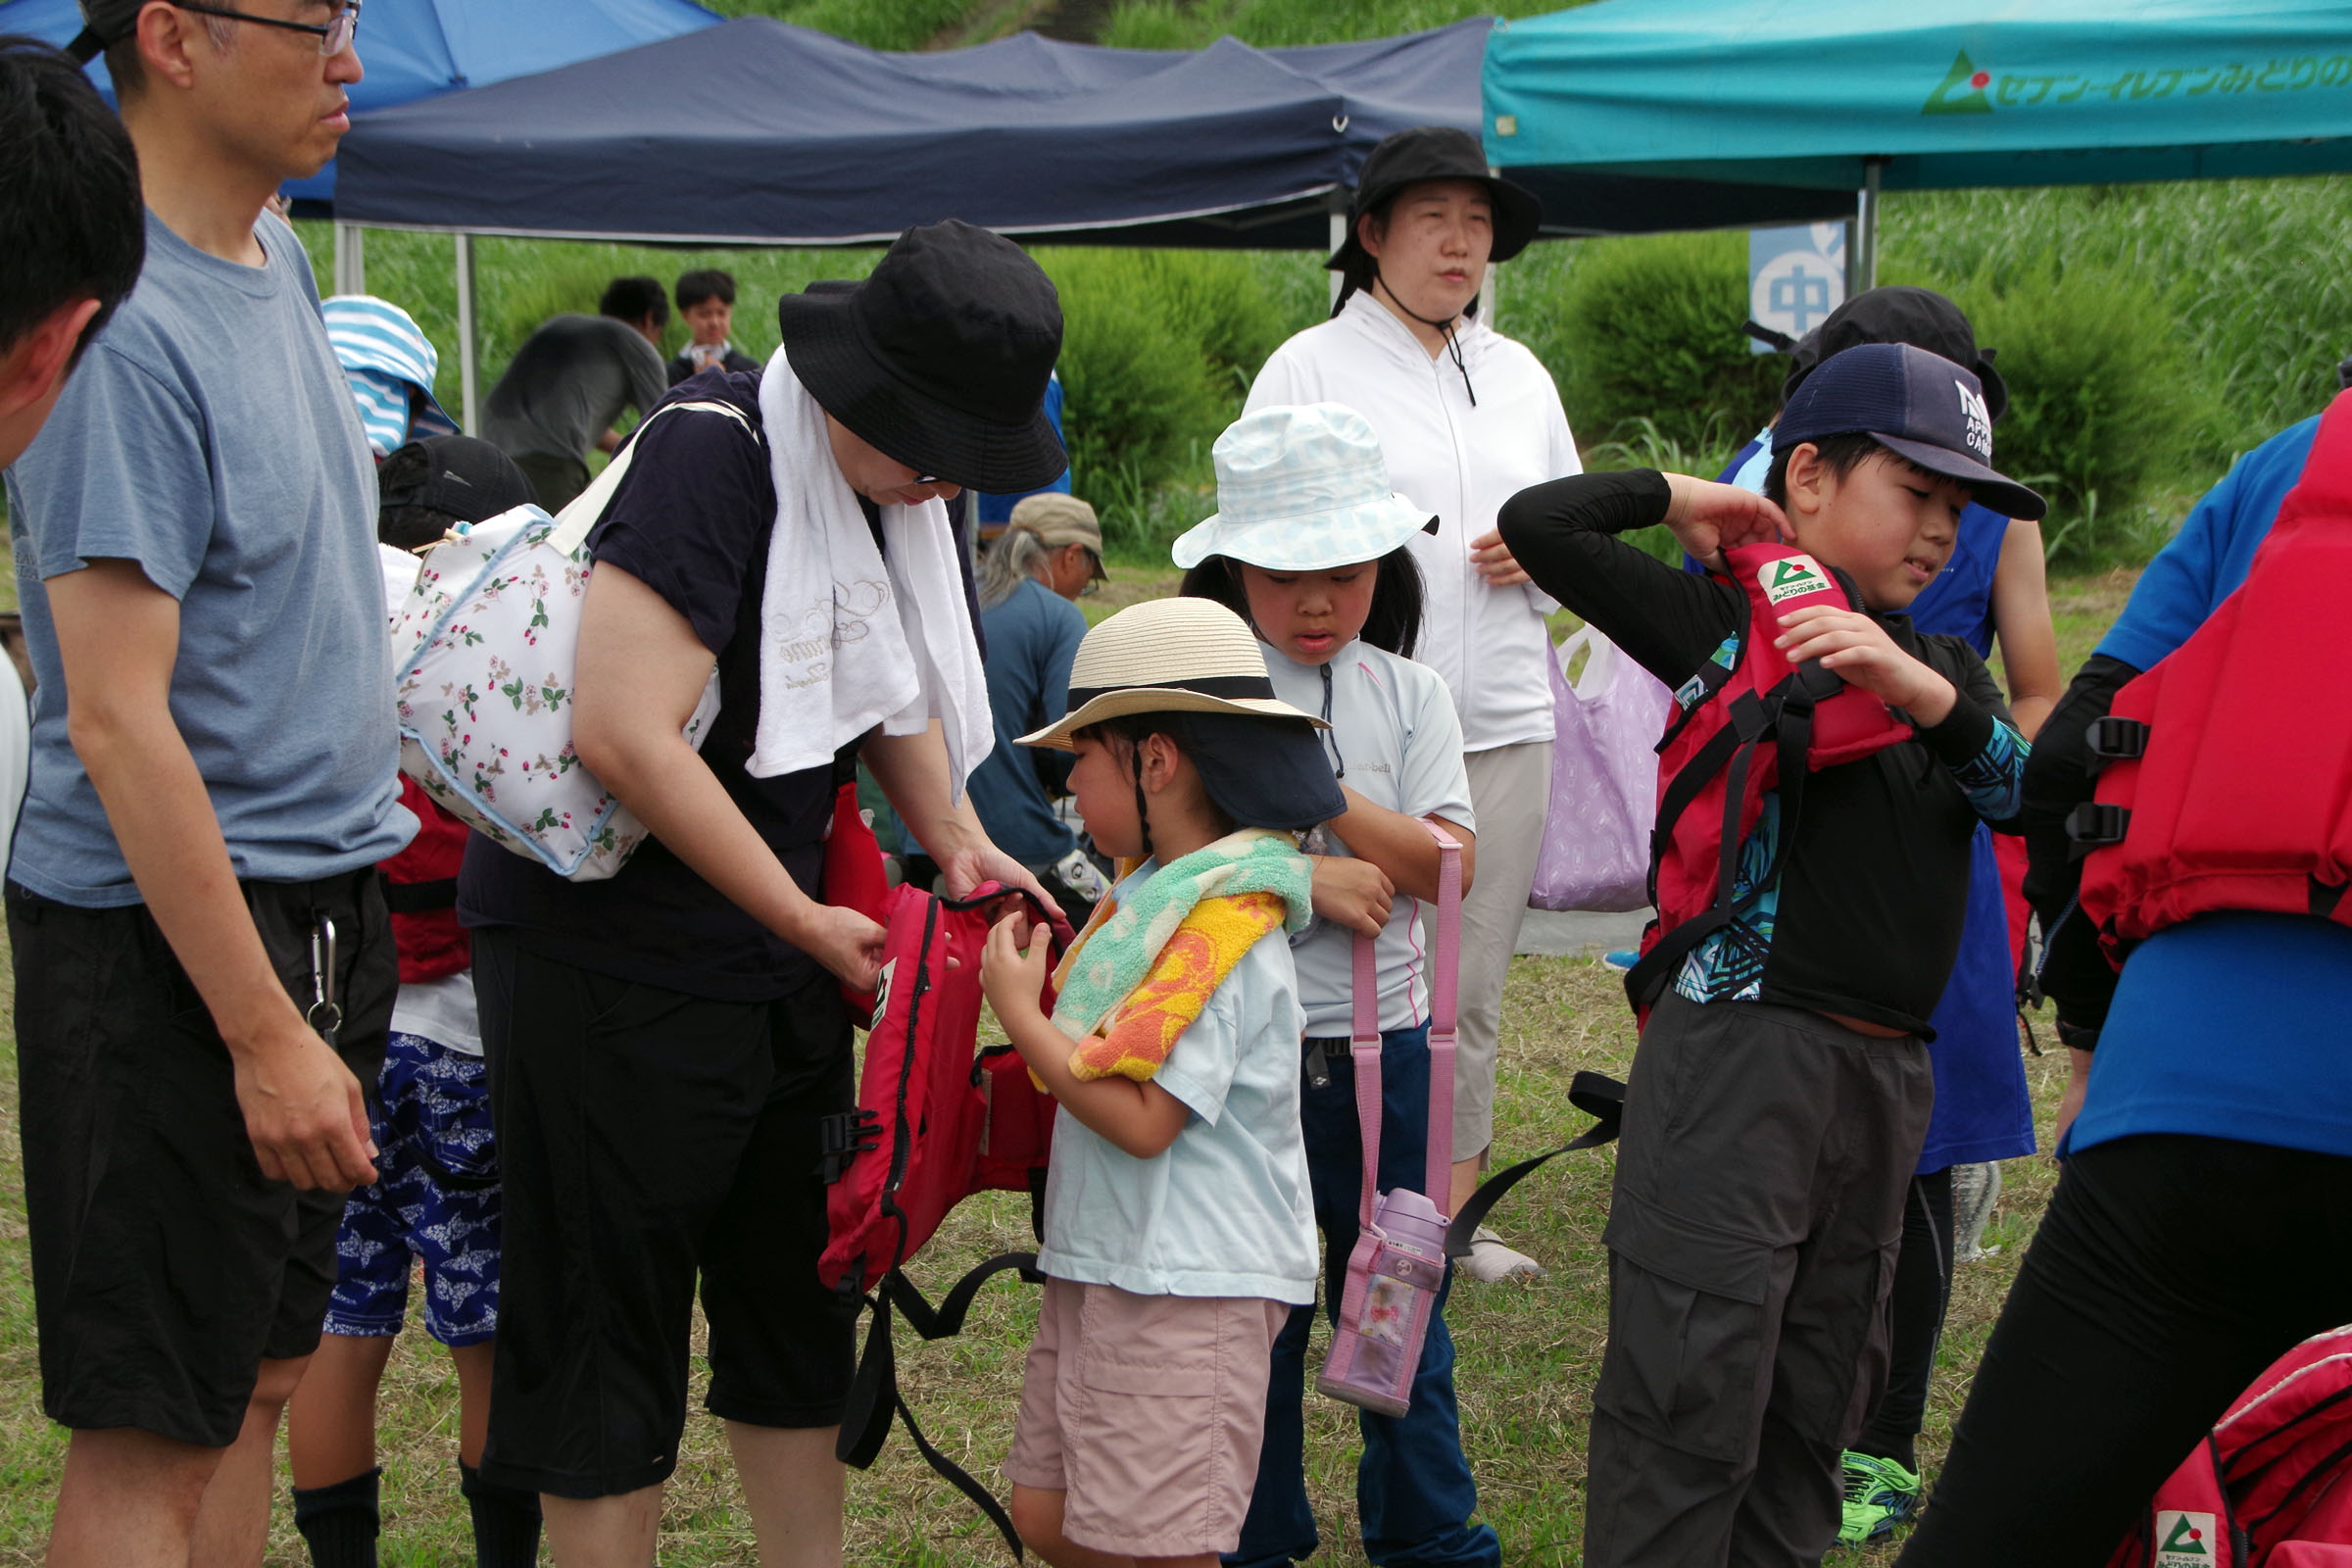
(2099, 396)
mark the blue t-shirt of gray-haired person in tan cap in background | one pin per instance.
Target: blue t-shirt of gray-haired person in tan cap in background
(1031, 636)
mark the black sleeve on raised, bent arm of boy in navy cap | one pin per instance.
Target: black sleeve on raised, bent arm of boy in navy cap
(1563, 537)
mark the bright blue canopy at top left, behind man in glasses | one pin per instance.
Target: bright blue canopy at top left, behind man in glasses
(427, 48)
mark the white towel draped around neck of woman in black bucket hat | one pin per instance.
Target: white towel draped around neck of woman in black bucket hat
(853, 636)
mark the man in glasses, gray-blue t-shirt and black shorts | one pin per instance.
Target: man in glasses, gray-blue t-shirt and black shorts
(203, 958)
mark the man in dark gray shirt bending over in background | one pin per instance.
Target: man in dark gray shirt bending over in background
(570, 382)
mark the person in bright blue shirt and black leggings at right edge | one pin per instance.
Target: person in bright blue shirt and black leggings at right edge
(2203, 1219)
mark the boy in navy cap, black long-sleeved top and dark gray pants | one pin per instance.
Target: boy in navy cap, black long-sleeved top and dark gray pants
(1782, 1087)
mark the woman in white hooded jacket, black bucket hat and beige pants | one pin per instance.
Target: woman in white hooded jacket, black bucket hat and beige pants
(1466, 417)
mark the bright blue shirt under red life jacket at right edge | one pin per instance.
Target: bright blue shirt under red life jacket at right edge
(2229, 1026)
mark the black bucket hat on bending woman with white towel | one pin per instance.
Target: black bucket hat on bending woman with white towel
(940, 359)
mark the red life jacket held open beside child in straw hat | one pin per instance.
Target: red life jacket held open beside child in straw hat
(937, 1120)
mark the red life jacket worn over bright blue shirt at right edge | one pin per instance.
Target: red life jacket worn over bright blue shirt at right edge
(2226, 784)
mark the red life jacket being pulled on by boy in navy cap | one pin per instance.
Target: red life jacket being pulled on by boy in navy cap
(1744, 730)
